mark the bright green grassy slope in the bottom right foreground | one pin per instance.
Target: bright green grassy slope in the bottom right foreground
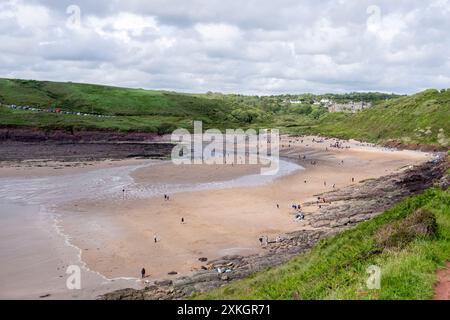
(336, 268)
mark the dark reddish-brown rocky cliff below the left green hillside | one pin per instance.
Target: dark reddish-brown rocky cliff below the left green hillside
(18, 144)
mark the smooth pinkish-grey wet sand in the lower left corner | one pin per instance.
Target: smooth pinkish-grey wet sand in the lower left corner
(34, 259)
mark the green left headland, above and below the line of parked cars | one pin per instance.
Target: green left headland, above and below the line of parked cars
(134, 109)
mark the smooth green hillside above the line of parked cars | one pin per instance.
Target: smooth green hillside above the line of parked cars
(106, 100)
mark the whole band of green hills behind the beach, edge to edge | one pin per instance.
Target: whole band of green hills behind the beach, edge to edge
(420, 118)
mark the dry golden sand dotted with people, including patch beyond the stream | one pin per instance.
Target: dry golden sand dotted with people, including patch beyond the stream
(117, 235)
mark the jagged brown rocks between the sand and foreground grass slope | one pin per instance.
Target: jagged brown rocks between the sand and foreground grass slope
(347, 208)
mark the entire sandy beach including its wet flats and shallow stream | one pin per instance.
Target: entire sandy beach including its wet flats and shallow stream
(114, 232)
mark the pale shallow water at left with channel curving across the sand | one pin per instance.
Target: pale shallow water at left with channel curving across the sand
(35, 252)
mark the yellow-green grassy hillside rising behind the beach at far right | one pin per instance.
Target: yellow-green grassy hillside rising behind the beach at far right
(398, 119)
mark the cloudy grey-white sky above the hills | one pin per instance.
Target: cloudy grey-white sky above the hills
(251, 47)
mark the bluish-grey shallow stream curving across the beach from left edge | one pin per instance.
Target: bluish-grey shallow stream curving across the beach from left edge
(107, 182)
